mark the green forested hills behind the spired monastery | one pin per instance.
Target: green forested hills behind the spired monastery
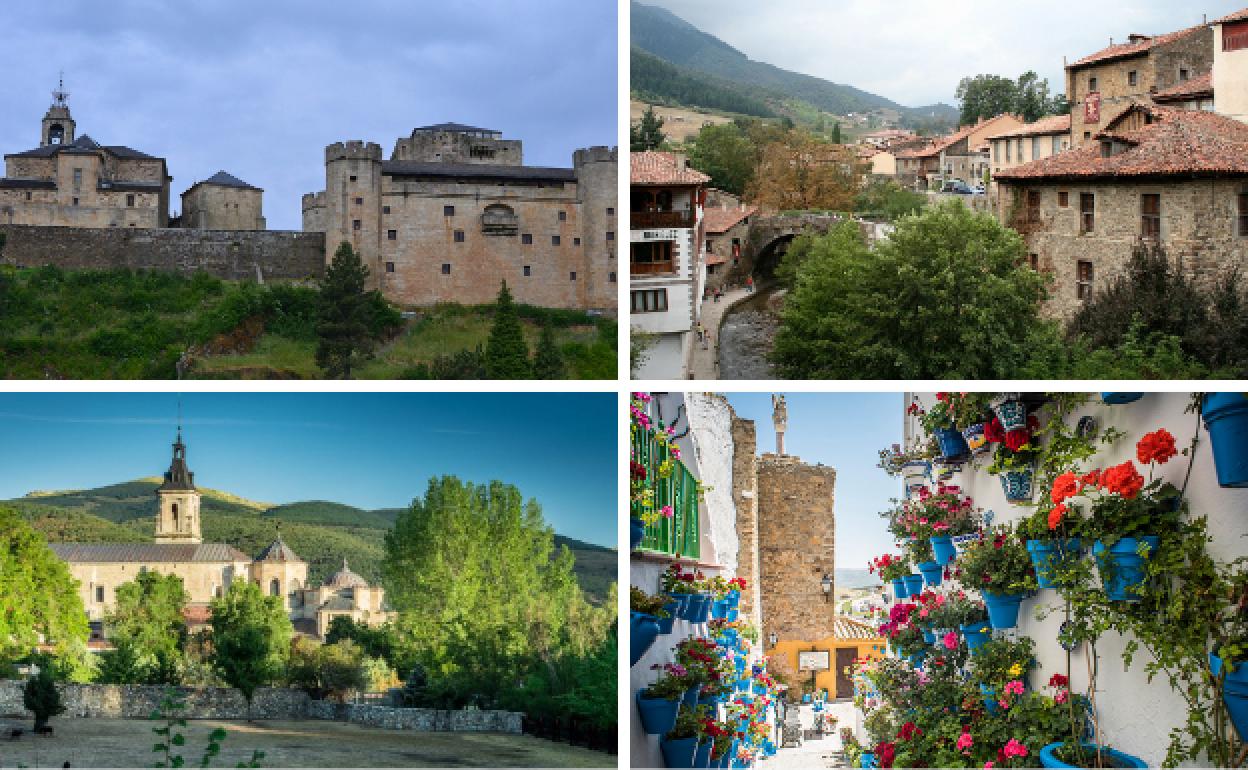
(321, 532)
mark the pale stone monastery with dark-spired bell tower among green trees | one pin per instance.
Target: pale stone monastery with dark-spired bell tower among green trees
(208, 570)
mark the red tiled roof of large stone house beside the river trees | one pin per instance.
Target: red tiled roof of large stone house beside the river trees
(1179, 143)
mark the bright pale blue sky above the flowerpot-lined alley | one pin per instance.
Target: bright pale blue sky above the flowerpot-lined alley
(844, 431)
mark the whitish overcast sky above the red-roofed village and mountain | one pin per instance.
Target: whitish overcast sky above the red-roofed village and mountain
(915, 52)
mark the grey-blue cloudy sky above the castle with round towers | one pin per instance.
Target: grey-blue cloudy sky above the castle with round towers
(259, 89)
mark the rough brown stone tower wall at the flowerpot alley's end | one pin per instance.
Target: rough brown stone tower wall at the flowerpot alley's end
(797, 546)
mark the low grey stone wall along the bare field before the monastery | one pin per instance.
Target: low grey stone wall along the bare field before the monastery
(138, 702)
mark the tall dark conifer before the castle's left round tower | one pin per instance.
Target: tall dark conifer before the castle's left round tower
(345, 318)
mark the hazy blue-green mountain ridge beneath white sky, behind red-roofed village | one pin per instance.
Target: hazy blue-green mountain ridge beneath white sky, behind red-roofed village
(666, 36)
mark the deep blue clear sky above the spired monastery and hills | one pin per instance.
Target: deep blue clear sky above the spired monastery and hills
(365, 450)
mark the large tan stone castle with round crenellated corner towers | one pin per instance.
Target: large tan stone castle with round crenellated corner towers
(454, 213)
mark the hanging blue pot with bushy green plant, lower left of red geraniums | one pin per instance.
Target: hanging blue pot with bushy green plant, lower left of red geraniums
(999, 567)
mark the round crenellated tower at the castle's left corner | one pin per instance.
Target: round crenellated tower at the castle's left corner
(354, 203)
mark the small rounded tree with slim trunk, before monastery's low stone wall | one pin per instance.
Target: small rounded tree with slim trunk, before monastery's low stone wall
(251, 638)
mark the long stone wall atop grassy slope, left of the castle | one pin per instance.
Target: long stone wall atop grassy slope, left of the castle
(233, 255)
